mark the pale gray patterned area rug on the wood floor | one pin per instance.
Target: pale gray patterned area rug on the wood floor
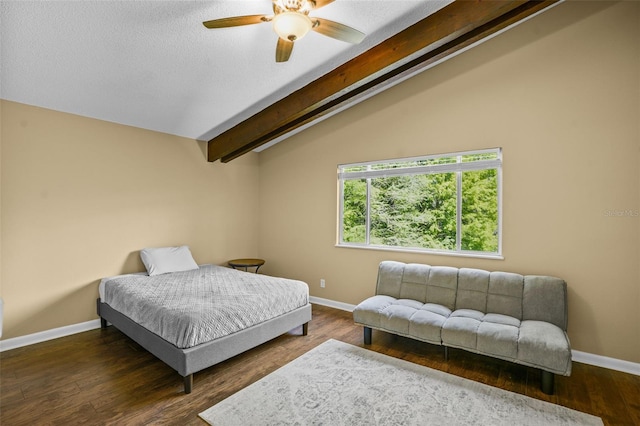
(341, 384)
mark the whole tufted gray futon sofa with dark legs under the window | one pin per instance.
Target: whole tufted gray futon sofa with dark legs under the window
(522, 319)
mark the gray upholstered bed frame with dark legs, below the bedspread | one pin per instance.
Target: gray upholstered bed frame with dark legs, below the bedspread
(191, 360)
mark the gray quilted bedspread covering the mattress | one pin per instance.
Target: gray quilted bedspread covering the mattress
(194, 307)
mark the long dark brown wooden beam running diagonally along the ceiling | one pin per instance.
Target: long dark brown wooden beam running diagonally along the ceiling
(439, 35)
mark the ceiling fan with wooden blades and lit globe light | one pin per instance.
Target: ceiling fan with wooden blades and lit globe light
(291, 21)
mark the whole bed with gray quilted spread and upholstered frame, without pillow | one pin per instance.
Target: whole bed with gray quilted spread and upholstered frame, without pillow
(193, 318)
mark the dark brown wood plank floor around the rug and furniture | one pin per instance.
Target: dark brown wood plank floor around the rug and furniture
(101, 377)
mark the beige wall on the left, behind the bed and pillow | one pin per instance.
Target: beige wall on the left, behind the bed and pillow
(81, 197)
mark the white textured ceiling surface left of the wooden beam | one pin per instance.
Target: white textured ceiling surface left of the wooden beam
(153, 65)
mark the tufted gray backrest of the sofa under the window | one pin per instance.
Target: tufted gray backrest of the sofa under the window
(530, 297)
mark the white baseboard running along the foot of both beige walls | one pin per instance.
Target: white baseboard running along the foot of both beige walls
(30, 339)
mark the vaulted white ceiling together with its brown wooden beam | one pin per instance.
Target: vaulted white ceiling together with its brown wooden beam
(153, 65)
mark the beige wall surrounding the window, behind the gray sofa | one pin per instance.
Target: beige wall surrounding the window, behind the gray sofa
(560, 94)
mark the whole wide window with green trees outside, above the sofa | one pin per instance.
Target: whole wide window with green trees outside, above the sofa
(440, 203)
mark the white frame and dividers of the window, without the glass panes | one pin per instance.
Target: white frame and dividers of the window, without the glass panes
(458, 167)
